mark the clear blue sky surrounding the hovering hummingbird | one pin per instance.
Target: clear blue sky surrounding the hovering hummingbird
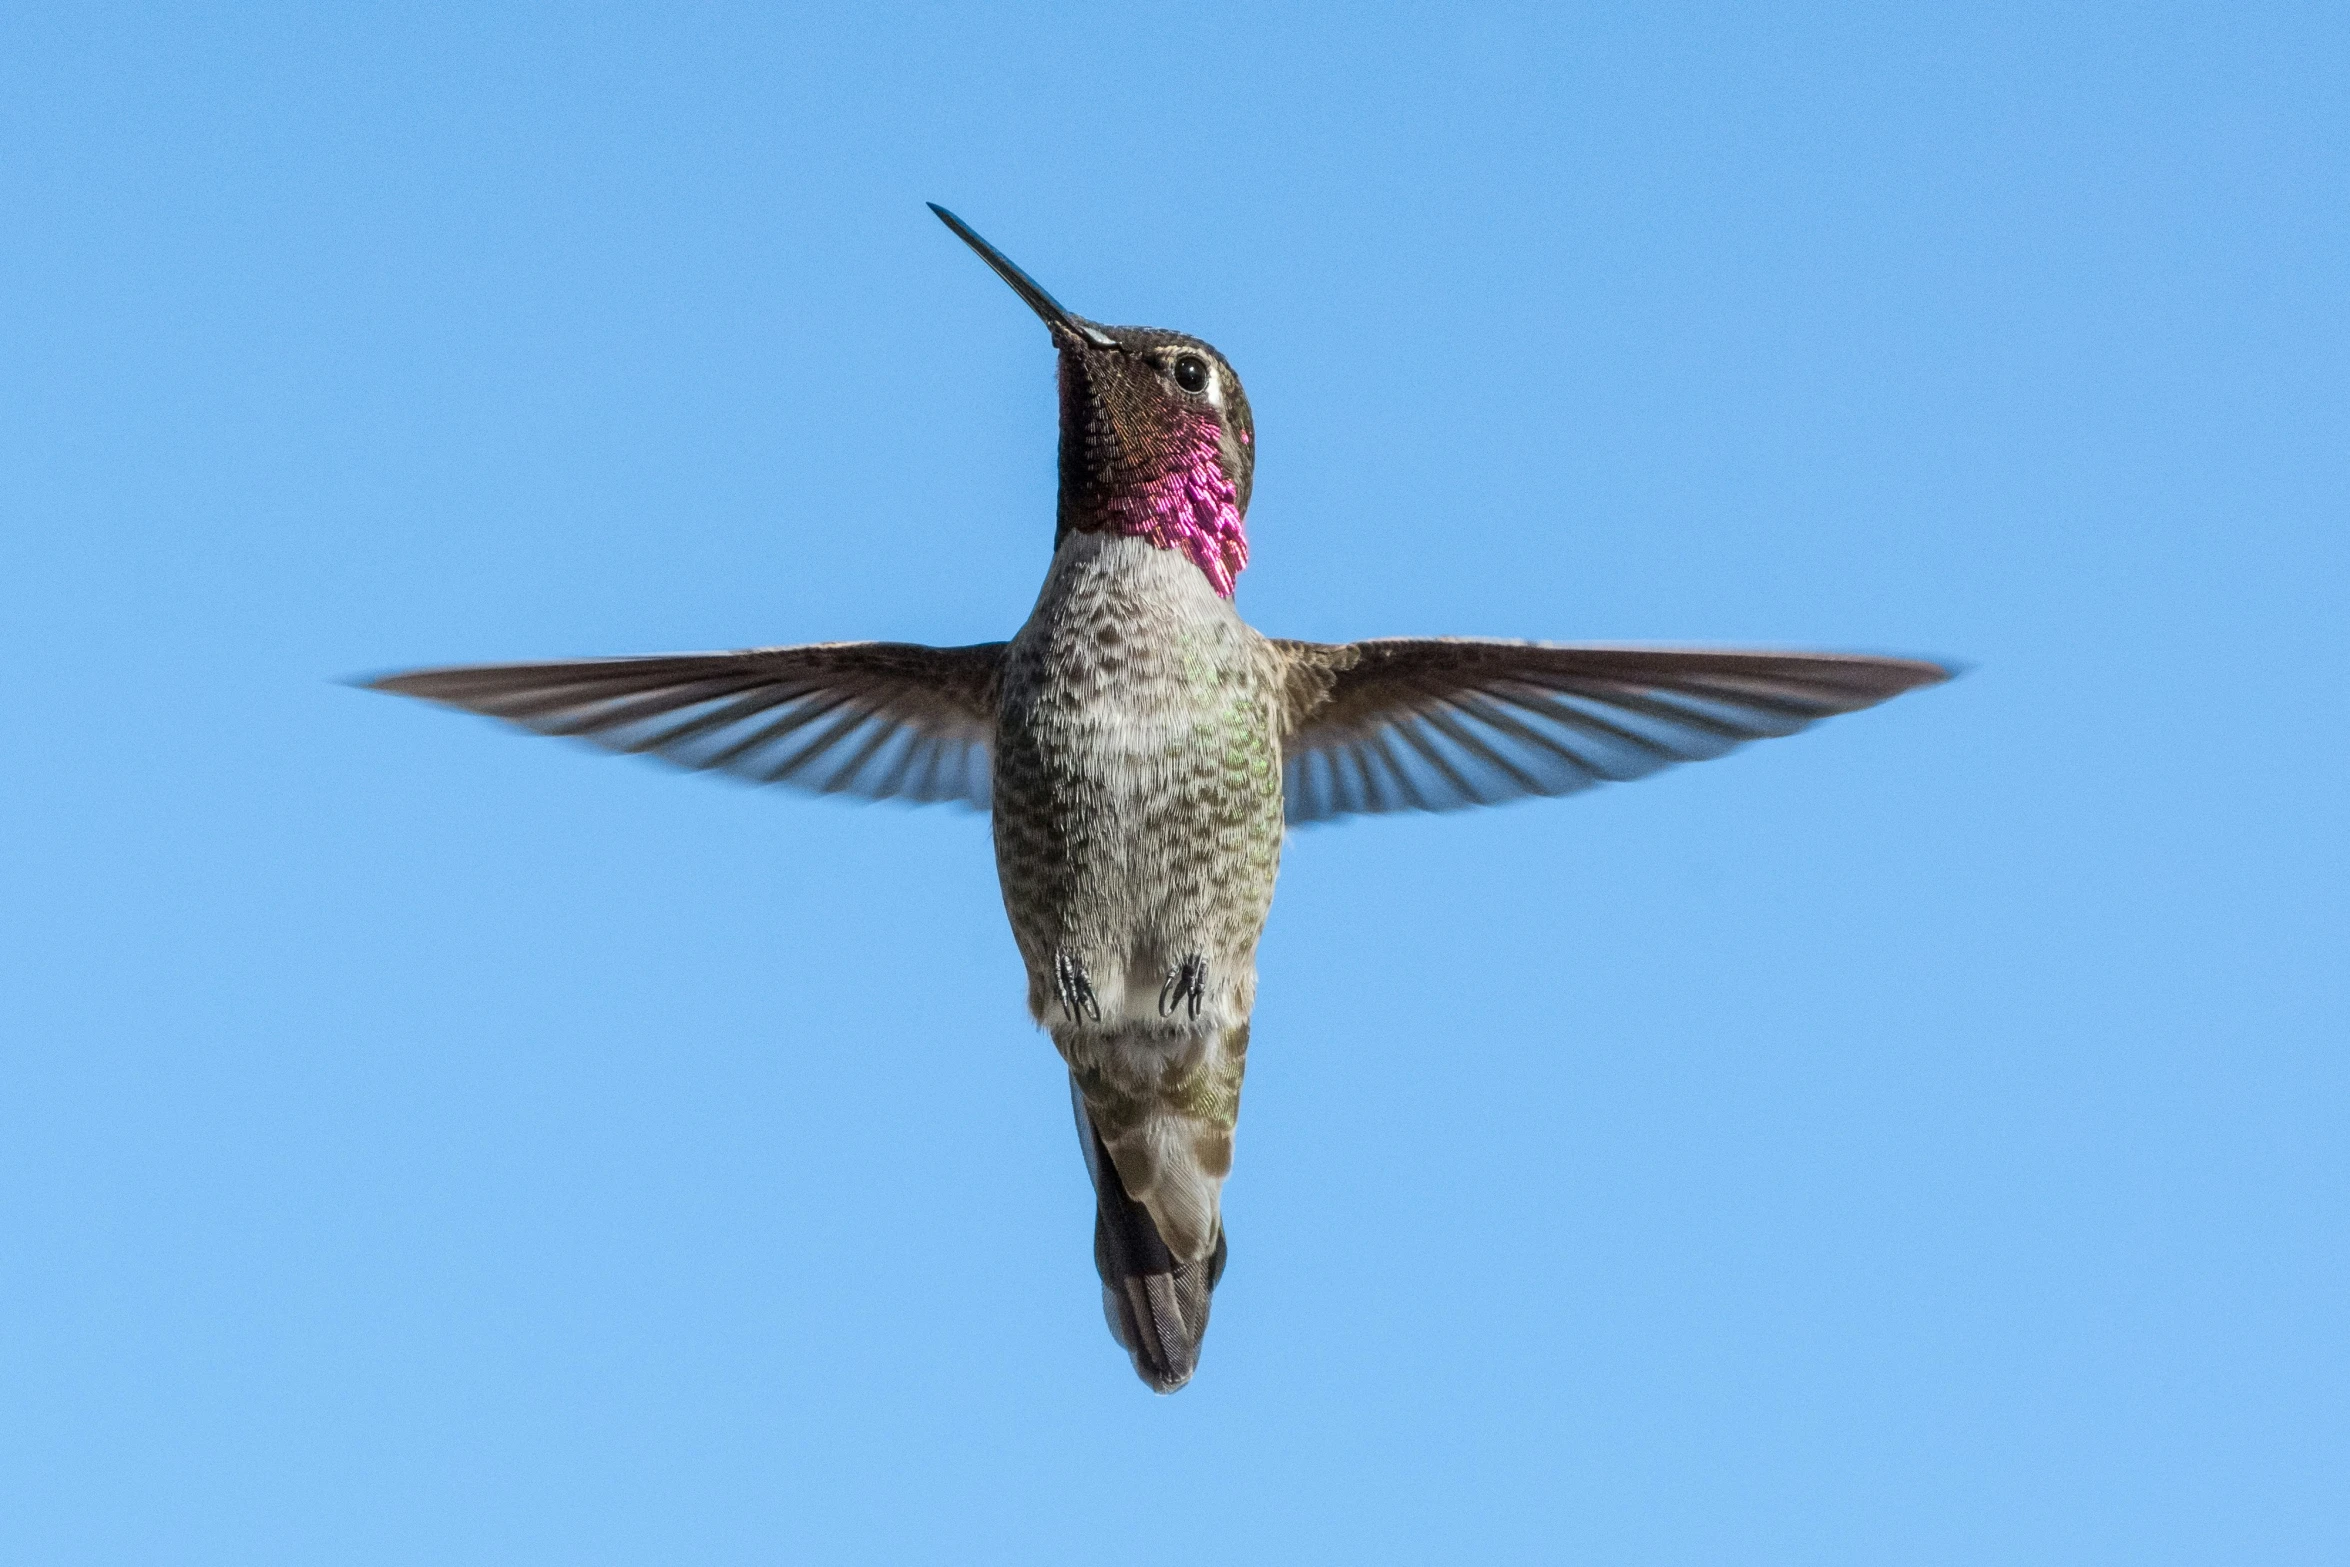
(1921, 1141)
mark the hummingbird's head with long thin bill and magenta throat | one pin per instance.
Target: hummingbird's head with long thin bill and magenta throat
(1155, 431)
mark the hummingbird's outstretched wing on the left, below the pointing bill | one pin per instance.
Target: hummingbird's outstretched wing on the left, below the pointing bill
(885, 720)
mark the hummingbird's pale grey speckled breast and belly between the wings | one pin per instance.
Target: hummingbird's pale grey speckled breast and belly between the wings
(1139, 786)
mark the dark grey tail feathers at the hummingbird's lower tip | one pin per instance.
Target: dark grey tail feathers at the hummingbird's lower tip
(1157, 1307)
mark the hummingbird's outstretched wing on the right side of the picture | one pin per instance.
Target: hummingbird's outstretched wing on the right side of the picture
(1449, 722)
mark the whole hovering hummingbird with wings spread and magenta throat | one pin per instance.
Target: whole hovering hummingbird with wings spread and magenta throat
(1143, 751)
